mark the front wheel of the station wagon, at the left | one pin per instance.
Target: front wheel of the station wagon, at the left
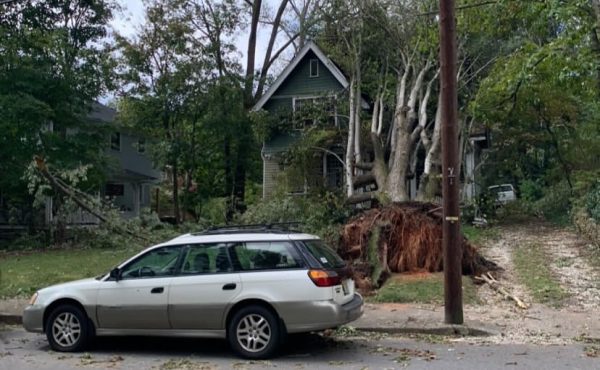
(68, 329)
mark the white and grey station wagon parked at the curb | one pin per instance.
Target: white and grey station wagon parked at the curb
(251, 285)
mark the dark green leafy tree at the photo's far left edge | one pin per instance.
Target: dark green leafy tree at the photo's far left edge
(53, 65)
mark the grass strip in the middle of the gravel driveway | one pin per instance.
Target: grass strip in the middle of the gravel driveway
(533, 271)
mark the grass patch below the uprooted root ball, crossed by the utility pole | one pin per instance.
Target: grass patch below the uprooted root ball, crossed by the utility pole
(427, 288)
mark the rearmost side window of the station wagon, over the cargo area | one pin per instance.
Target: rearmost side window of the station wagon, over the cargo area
(266, 256)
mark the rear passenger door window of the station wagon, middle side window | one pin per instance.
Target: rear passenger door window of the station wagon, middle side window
(207, 259)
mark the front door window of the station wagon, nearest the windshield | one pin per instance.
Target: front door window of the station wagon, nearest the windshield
(158, 262)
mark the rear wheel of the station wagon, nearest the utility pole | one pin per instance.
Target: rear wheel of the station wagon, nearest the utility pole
(247, 332)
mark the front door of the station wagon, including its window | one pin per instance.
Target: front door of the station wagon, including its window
(139, 299)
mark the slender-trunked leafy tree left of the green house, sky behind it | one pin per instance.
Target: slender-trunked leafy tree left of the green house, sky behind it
(162, 73)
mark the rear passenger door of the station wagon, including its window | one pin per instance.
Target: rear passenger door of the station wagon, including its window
(206, 286)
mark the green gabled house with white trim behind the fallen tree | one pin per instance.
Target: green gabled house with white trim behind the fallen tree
(310, 79)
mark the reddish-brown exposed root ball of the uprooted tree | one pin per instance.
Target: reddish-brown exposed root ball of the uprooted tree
(401, 237)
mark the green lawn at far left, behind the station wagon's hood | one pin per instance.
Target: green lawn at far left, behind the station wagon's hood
(21, 274)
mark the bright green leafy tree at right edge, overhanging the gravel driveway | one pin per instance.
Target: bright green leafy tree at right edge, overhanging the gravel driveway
(539, 99)
